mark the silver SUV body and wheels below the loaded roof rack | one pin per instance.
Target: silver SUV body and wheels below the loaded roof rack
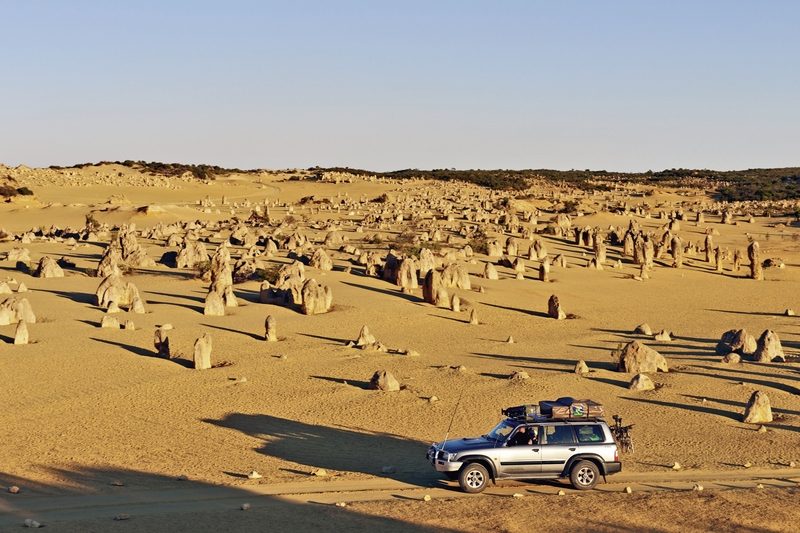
(580, 449)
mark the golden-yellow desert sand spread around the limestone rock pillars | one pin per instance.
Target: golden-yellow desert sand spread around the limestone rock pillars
(85, 406)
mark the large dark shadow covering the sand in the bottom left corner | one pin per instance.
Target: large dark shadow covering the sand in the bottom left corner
(85, 500)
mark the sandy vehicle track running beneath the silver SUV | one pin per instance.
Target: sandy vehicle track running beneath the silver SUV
(14, 509)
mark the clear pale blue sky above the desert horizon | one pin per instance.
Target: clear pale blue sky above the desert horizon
(624, 85)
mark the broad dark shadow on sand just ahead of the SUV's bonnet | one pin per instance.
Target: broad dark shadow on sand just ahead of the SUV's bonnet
(335, 448)
